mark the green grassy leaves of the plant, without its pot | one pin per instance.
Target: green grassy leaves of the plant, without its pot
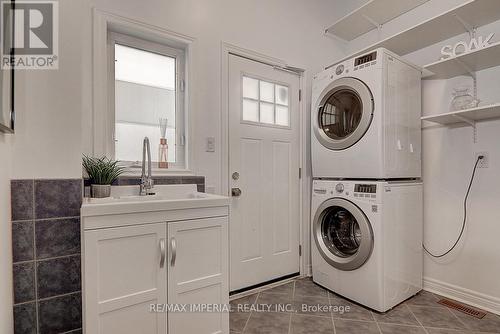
(102, 170)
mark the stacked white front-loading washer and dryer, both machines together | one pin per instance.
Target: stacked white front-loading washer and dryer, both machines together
(366, 193)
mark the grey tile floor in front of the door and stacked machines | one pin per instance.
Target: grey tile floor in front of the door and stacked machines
(418, 315)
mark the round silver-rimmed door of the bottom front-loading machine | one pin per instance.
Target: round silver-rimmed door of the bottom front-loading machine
(343, 234)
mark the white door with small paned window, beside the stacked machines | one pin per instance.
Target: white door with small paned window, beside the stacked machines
(264, 153)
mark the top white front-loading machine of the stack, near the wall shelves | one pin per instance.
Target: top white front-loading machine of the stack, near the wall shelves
(366, 119)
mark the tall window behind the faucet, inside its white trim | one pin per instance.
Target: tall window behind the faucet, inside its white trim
(148, 83)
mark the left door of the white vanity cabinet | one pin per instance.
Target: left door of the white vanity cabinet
(123, 277)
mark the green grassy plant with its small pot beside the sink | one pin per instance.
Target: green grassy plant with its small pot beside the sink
(102, 172)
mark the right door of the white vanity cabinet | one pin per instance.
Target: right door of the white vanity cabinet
(198, 274)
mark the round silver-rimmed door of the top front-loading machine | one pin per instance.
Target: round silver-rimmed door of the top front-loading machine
(343, 114)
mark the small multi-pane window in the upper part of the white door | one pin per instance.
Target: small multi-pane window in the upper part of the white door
(265, 102)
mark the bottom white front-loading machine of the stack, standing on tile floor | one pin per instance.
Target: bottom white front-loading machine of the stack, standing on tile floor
(367, 240)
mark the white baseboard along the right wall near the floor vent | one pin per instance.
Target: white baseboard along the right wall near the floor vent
(470, 297)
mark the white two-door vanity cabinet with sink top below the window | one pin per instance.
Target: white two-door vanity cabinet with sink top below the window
(137, 265)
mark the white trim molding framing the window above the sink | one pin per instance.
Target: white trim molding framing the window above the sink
(105, 22)
